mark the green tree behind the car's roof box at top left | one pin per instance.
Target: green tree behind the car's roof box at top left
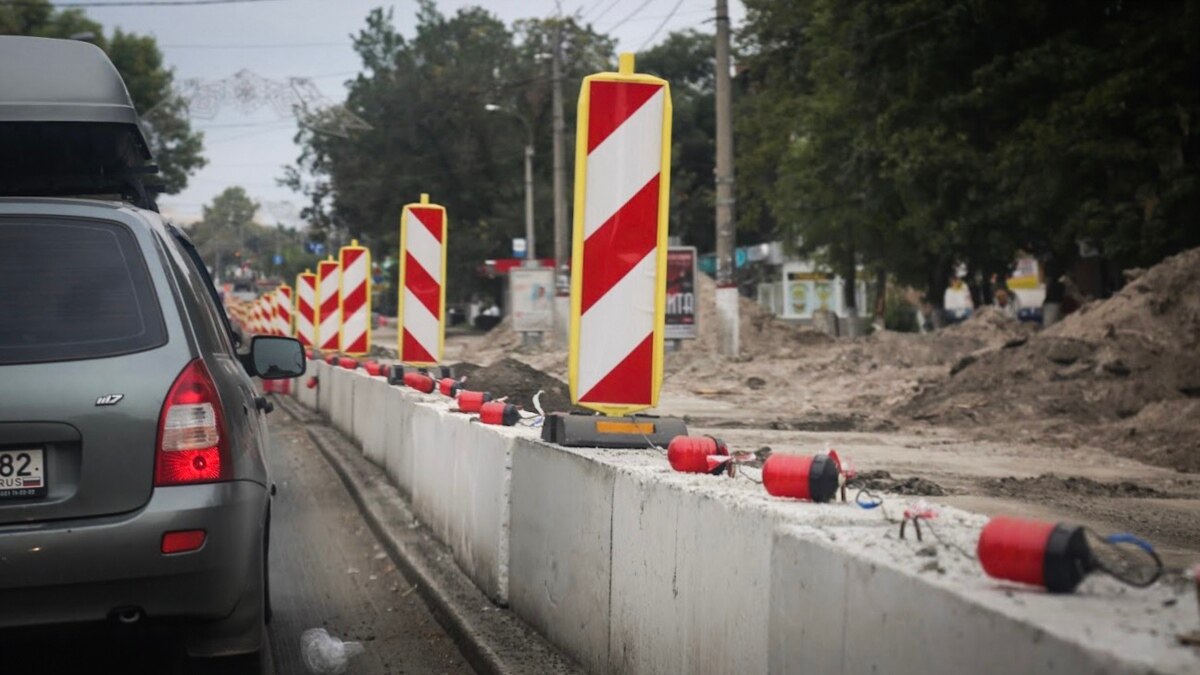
(176, 147)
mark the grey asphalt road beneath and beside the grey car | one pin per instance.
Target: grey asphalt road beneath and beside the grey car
(328, 571)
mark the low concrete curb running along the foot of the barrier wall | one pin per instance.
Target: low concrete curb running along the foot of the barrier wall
(493, 640)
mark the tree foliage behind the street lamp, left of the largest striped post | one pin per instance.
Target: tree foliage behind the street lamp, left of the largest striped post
(425, 101)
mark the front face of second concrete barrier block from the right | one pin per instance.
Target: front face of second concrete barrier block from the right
(689, 583)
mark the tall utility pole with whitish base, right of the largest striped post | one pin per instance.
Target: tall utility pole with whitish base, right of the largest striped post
(727, 288)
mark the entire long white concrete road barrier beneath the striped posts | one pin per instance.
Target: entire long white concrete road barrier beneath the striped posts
(631, 568)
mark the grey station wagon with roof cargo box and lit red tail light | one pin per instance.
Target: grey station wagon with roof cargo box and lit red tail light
(134, 485)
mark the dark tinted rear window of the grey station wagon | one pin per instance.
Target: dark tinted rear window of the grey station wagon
(74, 290)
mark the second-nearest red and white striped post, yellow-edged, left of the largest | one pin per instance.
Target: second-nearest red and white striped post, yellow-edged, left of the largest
(423, 298)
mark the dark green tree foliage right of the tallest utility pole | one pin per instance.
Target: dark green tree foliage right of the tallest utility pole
(922, 134)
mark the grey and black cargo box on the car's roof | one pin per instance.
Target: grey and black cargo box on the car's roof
(68, 127)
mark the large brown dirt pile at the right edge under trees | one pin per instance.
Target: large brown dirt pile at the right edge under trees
(1129, 369)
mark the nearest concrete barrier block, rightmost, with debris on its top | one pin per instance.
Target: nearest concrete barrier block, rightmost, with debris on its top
(855, 602)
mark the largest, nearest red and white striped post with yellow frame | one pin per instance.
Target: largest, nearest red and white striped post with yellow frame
(619, 265)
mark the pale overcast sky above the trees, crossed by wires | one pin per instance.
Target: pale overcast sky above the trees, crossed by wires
(281, 39)
